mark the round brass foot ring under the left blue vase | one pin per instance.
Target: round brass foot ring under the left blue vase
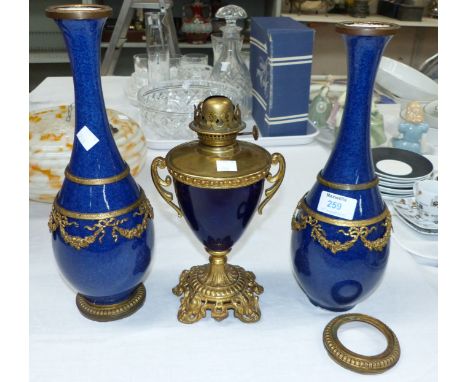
(112, 312)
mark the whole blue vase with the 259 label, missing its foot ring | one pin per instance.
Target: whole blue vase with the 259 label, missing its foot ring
(341, 227)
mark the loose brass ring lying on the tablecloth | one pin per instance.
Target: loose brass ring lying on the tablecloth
(357, 362)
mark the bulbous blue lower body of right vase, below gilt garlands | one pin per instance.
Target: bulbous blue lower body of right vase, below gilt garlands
(337, 281)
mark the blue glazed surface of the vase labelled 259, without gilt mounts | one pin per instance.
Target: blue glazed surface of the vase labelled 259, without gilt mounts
(338, 281)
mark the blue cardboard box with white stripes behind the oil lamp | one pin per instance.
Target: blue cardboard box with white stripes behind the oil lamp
(280, 68)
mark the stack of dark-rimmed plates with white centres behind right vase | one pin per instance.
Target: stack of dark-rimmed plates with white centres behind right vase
(398, 170)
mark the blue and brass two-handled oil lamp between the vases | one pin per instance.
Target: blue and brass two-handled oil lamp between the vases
(218, 182)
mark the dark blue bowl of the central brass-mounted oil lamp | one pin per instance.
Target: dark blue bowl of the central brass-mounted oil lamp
(218, 217)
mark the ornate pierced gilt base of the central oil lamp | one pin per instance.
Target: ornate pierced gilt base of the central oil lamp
(218, 288)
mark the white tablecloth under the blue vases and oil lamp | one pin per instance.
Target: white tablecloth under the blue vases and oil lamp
(286, 344)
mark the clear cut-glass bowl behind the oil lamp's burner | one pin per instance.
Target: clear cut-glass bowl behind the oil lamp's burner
(167, 110)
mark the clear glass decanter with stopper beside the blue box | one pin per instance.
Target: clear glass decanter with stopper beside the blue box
(230, 68)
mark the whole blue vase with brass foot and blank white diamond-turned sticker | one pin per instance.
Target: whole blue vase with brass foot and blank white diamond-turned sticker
(101, 220)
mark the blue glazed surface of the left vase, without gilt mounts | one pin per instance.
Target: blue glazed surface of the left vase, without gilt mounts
(108, 270)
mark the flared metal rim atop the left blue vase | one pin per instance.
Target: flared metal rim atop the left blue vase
(78, 11)
